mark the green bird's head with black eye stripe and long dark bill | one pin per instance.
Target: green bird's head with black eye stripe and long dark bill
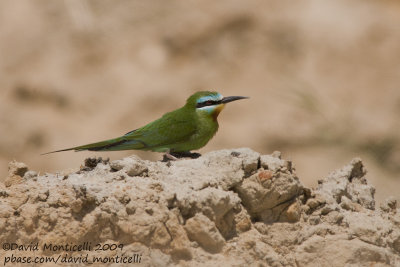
(210, 103)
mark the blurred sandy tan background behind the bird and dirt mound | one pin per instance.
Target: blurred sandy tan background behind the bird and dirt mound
(323, 77)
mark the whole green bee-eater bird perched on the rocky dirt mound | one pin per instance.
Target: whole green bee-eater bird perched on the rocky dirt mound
(176, 133)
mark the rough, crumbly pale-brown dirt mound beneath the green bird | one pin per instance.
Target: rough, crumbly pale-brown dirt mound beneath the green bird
(233, 207)
